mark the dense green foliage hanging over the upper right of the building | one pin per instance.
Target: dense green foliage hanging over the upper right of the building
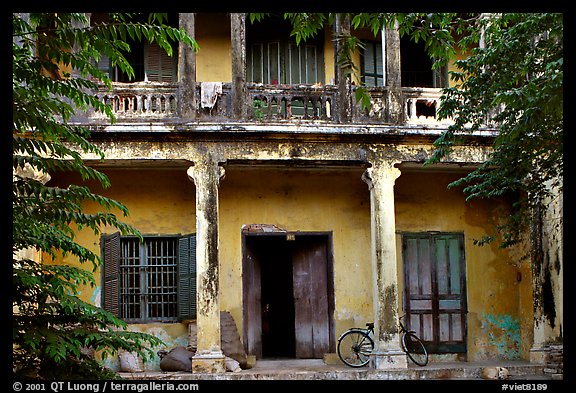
(514, 81)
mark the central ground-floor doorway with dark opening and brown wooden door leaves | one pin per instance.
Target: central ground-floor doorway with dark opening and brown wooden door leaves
(288, 294)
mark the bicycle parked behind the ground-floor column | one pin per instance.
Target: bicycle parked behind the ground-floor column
(356, 344)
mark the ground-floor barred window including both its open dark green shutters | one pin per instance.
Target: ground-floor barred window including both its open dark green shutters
(149, 281)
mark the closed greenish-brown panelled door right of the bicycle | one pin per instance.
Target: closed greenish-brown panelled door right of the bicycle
(435, 289)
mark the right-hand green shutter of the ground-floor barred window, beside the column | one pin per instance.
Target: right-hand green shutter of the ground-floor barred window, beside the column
(187, 277)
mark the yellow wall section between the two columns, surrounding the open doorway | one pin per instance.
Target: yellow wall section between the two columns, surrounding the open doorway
(298, 200)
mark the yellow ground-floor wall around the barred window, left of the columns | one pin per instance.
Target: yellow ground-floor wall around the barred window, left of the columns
(160, 201)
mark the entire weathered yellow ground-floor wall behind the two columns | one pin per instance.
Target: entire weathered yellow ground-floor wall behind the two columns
(499, 287)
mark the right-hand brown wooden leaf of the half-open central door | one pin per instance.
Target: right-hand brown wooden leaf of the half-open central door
(311, 305)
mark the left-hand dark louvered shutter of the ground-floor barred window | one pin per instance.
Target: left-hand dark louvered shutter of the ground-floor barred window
(110, 248)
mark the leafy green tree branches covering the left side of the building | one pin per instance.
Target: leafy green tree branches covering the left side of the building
(54, 57)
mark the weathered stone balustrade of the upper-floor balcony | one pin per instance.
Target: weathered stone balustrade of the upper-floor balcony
(158, 102)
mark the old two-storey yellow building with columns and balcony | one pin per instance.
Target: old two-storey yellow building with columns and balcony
(263, 190)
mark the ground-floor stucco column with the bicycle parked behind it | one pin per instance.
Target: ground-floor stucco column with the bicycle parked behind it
(387, 352)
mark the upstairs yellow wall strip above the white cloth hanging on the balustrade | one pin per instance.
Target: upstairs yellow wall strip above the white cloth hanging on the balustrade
(214, 59)
